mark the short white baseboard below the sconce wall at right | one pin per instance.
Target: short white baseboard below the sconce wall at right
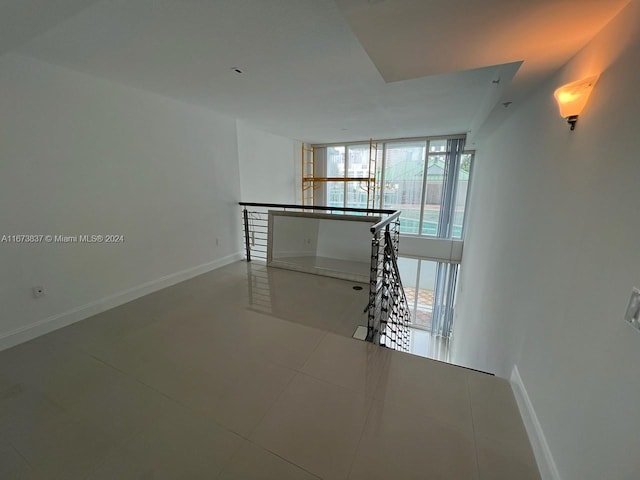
(544, 458)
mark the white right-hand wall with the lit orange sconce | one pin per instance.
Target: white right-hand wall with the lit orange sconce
(551, 254)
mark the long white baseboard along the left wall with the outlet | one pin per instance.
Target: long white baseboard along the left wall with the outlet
(54, 322)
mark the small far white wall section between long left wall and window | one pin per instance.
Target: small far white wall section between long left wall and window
(267, 166)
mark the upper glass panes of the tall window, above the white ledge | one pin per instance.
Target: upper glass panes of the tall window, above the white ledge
(427, 179)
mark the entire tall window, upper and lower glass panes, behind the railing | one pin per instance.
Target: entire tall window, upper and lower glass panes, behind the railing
(427, 179)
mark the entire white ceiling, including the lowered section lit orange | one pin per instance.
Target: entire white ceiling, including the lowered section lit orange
(315, 70)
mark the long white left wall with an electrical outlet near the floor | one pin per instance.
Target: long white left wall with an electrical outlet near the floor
(82, 155)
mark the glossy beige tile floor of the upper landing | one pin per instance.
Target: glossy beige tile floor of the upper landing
(198, 381)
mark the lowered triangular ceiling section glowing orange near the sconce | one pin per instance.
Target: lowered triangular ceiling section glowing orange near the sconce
(415, 38)
